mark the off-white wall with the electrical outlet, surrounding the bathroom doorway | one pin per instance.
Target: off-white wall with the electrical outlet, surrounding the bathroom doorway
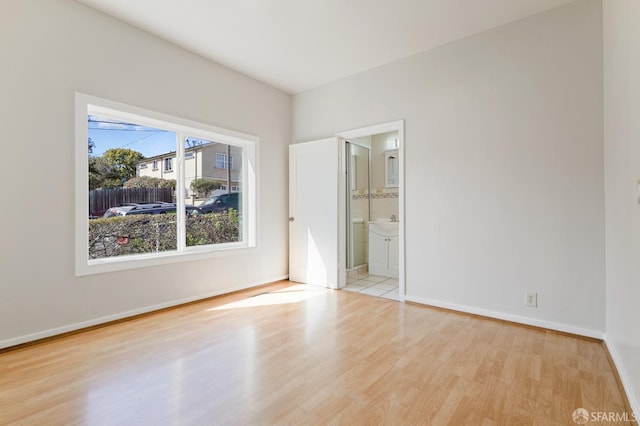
(504, 165)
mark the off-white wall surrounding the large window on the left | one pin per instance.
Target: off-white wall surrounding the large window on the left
(51, 49)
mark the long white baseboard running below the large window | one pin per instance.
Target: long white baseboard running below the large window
(90, 323)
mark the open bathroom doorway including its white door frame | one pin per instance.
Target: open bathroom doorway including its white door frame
(371, 211)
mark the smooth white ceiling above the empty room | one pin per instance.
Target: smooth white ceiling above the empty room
(296, 45)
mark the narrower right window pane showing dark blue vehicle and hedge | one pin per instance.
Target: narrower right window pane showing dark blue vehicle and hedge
(219, 213)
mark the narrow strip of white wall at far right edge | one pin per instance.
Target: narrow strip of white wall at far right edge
(622, 173)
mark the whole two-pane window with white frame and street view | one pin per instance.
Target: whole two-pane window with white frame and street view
(154, 222)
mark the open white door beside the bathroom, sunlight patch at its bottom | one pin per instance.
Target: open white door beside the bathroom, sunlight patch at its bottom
(313, 212)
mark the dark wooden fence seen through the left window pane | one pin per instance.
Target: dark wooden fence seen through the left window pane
(102, 199)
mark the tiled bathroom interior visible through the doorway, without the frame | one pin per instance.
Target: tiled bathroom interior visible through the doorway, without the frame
(372, 215)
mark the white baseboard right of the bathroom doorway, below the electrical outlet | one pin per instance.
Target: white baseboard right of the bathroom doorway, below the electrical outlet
(509, 317)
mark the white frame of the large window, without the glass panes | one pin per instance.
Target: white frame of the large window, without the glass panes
(86, 105)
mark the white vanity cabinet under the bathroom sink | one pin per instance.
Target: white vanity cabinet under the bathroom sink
(383, 249)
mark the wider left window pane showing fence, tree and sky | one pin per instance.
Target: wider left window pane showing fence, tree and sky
(131, 205)
